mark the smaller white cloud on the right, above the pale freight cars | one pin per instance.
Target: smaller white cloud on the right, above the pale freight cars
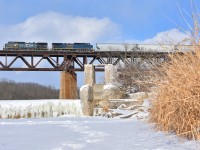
(172, 36)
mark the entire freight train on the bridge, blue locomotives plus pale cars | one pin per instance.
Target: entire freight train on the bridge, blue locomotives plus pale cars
(87, 47)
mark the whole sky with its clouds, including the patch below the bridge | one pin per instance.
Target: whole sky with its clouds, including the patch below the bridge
(89, 21)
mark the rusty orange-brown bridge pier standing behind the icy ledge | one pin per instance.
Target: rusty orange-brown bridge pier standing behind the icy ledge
(68, 85)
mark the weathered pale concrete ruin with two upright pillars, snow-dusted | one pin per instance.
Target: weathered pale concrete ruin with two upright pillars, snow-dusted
(96, 94)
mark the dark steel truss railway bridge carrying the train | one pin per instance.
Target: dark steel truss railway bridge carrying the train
(69, 61)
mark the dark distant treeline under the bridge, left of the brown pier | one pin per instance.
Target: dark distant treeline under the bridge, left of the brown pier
(10, 90)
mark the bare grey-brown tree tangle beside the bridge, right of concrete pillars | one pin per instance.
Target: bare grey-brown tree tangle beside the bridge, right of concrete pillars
(136, 74)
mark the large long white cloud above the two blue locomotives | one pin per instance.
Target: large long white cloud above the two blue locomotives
(57, 27)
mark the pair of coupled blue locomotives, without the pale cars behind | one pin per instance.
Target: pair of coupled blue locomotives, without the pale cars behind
(44, 46)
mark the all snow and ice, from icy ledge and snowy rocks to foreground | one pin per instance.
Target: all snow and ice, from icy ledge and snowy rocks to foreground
(64, 128)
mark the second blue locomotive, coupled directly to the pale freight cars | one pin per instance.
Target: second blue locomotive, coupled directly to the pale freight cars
(72, 46)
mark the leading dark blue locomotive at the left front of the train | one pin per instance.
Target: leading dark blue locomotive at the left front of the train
(25, 46)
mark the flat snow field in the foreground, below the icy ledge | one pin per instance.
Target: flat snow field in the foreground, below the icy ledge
(87, 133)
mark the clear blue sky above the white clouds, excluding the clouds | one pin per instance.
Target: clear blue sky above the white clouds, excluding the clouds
(137, 19)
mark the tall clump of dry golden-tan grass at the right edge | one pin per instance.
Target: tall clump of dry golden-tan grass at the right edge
(177, 105)
